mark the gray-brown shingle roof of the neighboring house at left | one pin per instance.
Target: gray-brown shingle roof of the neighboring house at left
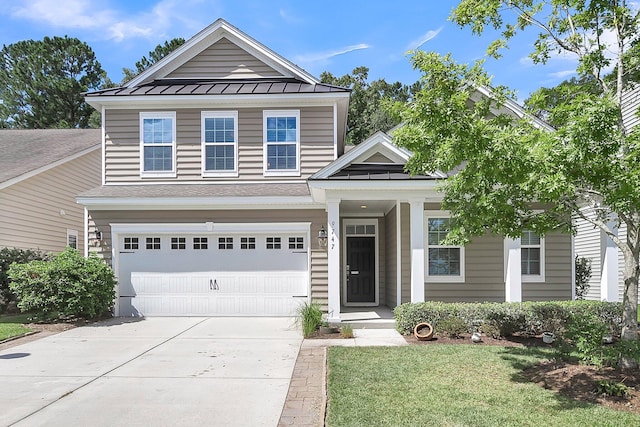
(25, 150)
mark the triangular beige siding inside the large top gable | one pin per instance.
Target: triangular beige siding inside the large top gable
(224, 59)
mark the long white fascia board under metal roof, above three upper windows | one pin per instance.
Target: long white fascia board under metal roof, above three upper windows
(205, 101)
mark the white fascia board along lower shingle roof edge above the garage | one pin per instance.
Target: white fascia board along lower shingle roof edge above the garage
(198, 203)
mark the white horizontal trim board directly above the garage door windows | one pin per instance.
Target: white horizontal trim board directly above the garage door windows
(210, 227)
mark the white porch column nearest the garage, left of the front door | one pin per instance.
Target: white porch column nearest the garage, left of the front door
(333, 259)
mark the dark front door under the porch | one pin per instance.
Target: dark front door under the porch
(361, 269)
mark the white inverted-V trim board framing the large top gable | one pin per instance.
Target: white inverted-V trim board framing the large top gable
(207, 37)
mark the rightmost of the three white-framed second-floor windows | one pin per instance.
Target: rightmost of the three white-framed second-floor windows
(282, 142)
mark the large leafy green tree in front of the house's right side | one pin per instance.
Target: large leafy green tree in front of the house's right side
(587, 167)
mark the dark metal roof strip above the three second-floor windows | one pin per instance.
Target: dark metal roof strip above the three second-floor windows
(220, 87)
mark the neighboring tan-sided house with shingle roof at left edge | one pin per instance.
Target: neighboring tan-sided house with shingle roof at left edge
(41, 173)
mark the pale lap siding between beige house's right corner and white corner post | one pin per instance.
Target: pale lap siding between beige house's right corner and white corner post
(588, 245)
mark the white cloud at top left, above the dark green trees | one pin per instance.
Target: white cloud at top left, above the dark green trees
(109, 23)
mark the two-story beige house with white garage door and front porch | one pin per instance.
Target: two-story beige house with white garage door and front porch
(227, 191)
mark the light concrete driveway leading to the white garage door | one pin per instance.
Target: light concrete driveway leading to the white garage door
(152, 372)
